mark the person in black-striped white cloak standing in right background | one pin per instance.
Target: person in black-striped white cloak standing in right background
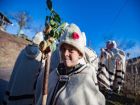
(112, 67)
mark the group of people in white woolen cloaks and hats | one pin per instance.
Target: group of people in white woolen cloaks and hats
(76, 73)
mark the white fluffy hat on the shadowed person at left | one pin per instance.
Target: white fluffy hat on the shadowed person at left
(38, 38)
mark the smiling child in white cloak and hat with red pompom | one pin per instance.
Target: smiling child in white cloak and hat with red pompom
(72, 83)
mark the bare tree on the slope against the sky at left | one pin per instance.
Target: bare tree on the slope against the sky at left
(23, 19)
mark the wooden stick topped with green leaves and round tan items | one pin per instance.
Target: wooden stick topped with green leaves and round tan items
(53, 30)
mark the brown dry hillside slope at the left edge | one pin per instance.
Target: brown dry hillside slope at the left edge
(10, 46)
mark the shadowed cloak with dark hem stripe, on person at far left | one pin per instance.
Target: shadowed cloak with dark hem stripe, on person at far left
(21, 87)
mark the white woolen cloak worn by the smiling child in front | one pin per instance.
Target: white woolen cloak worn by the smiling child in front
(77, 88)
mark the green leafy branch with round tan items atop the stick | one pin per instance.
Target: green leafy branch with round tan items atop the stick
(54, 28)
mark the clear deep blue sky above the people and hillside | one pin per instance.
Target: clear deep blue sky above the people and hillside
(101, 20)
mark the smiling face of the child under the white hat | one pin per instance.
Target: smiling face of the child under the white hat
(69, 55)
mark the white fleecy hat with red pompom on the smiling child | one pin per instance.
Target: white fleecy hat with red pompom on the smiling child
(73, 36)
